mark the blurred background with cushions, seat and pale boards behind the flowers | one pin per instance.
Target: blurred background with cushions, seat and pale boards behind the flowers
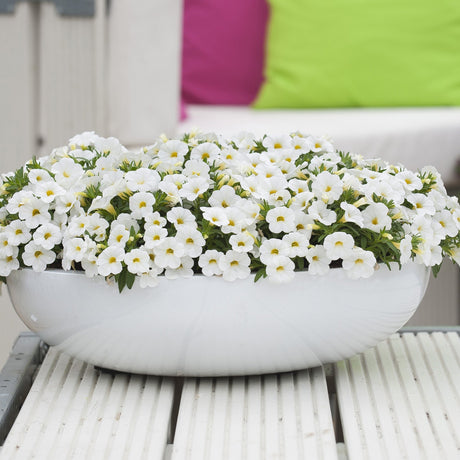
(380, 78)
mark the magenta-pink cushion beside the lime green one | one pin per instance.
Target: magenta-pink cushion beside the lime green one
(223, 50)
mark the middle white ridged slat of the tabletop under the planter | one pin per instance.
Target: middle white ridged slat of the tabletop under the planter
(284, 416)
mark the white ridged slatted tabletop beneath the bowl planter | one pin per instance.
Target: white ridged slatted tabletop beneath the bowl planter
(400, 400)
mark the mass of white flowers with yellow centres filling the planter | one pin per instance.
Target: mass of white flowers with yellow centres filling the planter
(219, 207)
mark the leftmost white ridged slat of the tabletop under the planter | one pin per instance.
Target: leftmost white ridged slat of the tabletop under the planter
(73, 411)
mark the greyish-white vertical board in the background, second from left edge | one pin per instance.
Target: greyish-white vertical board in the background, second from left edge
(67, 97)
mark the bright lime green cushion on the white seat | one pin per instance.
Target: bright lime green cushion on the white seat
(351, 53)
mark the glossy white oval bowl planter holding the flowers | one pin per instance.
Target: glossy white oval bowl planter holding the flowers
(209, 327)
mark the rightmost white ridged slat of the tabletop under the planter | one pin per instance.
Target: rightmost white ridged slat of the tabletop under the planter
(401, 399)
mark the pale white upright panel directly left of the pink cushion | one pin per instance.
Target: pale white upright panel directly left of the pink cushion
(144, 44)
